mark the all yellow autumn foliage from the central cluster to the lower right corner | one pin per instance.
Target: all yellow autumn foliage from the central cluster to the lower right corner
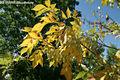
(60, 37)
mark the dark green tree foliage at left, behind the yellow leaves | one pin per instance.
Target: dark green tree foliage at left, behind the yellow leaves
(13, 18)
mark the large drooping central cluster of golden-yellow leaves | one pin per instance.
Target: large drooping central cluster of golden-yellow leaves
(66, 39)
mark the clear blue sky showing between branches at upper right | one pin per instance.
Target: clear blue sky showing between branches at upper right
(86, 10)
